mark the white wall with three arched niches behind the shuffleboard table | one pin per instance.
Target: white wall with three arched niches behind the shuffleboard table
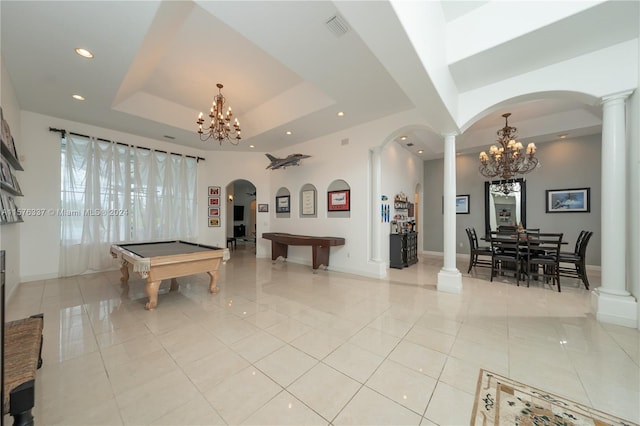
(331, 159)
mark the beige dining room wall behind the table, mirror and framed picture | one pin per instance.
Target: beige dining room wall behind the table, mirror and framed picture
(568, 163)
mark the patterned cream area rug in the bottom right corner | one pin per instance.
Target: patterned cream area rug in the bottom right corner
(502, 401)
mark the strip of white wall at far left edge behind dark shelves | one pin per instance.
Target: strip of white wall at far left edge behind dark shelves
(10, 234)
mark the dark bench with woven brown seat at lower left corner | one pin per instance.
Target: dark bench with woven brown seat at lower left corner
(22, 357)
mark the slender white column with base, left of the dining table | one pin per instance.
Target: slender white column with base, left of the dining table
(449, 278)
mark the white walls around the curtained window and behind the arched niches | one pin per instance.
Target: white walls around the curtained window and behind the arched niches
(331, 160)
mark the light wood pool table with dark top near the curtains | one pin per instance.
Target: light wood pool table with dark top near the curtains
(167, 259)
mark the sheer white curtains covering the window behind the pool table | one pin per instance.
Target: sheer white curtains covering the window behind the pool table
(114, 193)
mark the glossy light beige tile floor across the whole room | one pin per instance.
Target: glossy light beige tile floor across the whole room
(280, 345)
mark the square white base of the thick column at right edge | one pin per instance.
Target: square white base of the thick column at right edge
(615, 309)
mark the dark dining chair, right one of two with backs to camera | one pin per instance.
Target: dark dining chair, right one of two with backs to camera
(542, 257)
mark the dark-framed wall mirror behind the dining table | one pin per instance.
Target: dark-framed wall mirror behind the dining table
(505, 203)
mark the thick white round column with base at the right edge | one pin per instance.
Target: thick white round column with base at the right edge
(611, 301)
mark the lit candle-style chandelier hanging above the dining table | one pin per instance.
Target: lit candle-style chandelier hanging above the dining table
(508, 159)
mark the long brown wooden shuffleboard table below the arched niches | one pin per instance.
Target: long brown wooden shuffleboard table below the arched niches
(281, 241)
